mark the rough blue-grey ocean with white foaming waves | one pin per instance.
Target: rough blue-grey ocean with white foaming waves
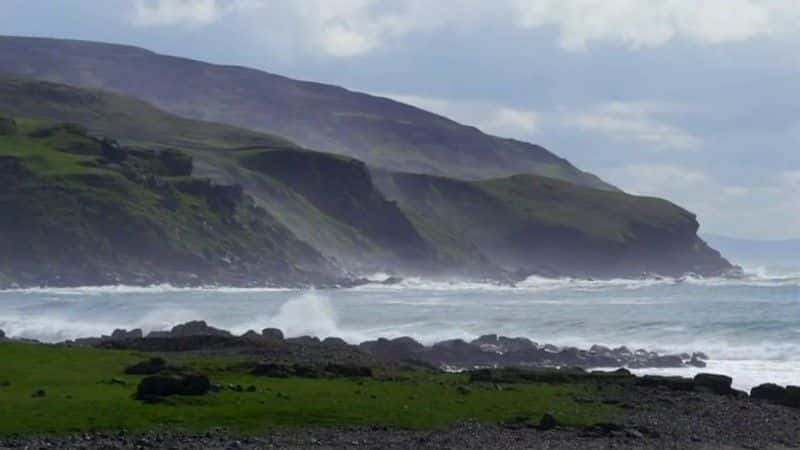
(749, 327)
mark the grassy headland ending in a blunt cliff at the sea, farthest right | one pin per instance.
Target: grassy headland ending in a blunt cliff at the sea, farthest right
(542, 225)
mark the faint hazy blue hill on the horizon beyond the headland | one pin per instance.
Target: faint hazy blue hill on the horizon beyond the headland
(758, 252)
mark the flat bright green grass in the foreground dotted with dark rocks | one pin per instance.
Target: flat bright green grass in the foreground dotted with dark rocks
(78, 395)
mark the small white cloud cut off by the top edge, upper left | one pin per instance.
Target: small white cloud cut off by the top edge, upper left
(176, 12)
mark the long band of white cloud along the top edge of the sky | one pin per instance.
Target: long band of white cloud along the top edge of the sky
(346, 28)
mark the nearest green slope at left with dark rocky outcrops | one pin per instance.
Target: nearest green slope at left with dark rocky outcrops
(82, 210)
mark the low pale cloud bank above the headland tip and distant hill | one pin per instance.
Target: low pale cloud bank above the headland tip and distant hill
(721, 207)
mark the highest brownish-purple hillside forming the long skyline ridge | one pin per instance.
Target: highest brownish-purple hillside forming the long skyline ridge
(379, 131)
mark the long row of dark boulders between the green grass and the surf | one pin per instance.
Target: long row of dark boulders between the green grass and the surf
(486, 351)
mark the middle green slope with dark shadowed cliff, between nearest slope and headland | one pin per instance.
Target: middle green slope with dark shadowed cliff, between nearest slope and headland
(340, 214)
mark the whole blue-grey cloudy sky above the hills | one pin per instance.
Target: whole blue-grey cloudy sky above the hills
(694, 101)
